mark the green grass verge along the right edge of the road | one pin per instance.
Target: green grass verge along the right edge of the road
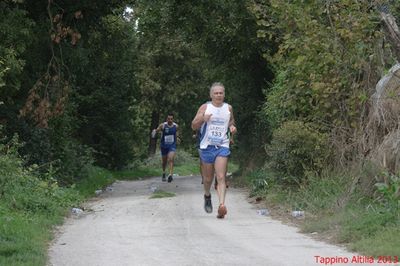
(357, 220)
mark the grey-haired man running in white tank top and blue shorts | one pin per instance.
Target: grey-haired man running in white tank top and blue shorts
(217, 117)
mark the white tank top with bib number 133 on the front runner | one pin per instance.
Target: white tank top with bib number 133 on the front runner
(216, 129)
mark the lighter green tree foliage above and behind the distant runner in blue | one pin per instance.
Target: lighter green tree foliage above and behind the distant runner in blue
(171, 64)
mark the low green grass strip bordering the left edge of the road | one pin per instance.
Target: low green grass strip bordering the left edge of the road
(26, 230)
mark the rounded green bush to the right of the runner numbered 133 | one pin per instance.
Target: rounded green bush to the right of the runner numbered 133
(296, 149)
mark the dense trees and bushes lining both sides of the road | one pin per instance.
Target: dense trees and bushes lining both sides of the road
(82, 85)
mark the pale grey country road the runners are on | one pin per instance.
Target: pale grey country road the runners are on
(126, 227)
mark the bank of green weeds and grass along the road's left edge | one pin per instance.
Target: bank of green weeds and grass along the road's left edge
(31, 204)
